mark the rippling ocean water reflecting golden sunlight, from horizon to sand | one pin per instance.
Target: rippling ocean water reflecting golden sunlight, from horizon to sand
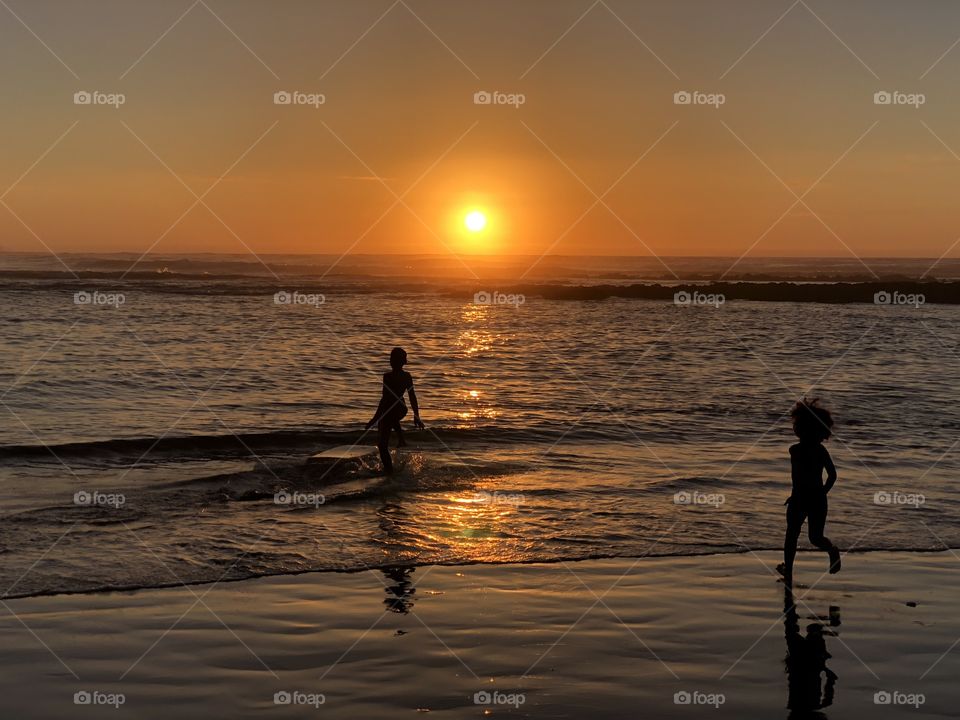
(149, 418)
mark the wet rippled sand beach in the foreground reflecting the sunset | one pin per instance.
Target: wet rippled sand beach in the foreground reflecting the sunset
(663, 637)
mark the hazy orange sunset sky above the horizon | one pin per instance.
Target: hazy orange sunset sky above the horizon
(784, 150)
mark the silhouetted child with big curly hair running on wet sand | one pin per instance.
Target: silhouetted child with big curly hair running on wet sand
(808, 501)
